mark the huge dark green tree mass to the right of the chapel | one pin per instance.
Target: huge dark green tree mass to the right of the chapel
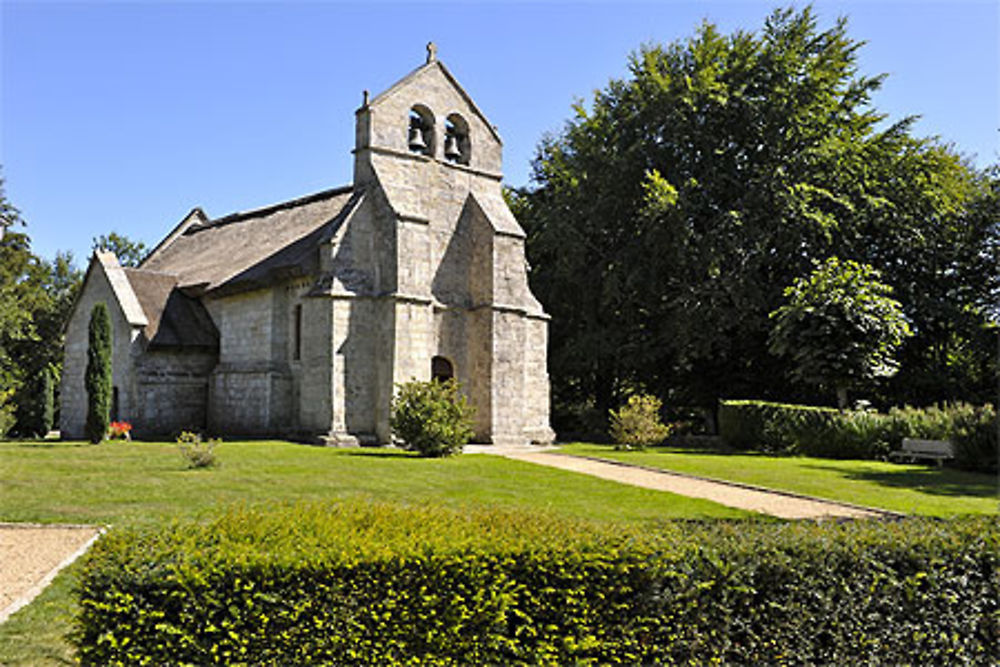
(670, 213)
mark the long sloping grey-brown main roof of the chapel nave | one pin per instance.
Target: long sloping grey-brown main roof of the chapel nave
(254, 243)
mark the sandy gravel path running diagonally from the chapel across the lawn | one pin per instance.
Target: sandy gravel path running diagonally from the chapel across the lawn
(783, 505)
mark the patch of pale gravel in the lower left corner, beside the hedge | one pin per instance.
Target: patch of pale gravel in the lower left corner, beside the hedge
(30, 557)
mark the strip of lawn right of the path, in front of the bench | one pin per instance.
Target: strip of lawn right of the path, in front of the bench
(911, 489)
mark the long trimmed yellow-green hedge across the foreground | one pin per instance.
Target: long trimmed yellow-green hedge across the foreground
(379, 584)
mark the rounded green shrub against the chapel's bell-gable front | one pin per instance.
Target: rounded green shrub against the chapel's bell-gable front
(432, 418)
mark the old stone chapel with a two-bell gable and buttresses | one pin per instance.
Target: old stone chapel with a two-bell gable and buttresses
(299, 319)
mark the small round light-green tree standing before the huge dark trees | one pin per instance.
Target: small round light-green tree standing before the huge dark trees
(840, 327)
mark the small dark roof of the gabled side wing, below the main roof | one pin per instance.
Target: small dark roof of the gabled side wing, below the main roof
(174, 319)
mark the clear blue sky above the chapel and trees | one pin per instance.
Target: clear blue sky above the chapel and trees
(124, 116)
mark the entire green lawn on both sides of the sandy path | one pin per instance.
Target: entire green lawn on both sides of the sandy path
(147, 484)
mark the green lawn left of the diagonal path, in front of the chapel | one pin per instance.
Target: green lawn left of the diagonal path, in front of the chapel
(147, 484)
